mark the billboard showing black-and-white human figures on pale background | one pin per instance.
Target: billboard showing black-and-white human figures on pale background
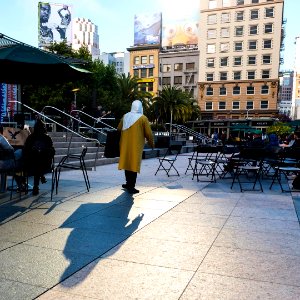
(54, 23)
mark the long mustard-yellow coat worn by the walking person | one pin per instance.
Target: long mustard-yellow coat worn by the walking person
(132, 143)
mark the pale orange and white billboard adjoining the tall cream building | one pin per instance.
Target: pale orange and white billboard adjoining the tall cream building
(180, 32)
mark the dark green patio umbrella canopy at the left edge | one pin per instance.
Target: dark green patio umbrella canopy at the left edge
(24, 64)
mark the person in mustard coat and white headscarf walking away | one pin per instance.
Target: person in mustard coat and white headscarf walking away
(135, 129)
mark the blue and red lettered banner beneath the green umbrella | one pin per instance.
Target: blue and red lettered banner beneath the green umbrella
(8, 93)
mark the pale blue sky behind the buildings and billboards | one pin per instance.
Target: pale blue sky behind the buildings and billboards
(115, 20)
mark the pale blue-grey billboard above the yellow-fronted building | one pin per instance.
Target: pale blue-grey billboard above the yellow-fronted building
(147, 29)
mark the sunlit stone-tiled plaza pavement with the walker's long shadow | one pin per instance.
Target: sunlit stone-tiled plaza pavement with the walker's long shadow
(176, 239)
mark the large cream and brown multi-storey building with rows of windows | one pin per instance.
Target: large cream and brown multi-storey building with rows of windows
(240, 44)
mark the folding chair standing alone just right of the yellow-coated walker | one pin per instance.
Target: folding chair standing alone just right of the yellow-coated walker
(166, 163)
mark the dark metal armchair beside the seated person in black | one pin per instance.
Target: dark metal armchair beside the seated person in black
(68, 162)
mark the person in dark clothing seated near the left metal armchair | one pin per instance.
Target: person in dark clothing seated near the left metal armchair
(38, 154)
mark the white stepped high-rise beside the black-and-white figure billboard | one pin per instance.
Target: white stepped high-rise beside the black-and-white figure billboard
(86, 33)
